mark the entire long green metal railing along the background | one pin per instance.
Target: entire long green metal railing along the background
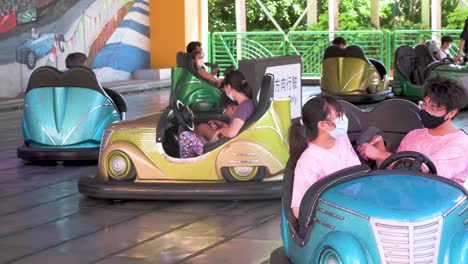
(229, 47)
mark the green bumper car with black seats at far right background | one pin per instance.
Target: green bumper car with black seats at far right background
(413, 66)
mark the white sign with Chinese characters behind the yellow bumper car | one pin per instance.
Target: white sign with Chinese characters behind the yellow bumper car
(288, 85)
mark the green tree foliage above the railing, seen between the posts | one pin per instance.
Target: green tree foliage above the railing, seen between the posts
(353, 15)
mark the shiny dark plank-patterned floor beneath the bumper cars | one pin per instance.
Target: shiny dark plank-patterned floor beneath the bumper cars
(44, 219)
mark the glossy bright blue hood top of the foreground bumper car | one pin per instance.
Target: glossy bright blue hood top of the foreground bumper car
(395, 196)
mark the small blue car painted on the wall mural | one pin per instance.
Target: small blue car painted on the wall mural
(35, 48)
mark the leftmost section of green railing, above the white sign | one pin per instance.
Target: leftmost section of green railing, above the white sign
(229, 47)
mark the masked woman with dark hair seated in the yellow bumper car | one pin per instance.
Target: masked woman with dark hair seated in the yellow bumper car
(237, 89)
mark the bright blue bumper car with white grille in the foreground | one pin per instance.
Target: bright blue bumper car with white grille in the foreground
(359, 215)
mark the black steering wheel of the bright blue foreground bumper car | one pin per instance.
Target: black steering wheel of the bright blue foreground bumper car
(409, 160)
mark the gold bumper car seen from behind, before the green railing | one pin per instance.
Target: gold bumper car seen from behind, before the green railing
(350, 75)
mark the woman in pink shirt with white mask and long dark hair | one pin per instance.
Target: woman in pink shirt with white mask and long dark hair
(319, 145)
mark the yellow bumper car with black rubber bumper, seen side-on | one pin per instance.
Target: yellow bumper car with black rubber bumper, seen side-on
(139, 159)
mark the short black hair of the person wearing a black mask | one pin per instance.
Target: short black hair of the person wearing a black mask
(446, 92)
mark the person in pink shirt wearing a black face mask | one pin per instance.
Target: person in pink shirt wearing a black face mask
(443, 143)
